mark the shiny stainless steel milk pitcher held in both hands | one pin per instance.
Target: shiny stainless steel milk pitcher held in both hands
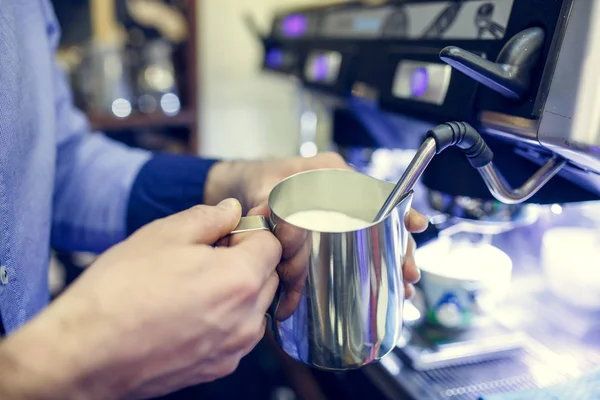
(343, 309)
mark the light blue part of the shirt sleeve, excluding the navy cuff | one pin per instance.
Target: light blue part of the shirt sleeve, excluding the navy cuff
(93, 174)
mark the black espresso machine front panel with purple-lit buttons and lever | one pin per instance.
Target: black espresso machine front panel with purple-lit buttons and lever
(493, 59)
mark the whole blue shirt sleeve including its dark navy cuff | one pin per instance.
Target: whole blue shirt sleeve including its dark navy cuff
(104, 190)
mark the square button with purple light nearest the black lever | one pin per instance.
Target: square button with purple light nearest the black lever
(422, 81)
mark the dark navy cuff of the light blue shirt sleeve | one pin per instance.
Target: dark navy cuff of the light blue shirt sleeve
(165, 185)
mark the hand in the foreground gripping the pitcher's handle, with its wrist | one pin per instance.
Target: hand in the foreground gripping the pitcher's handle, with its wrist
(161, 311)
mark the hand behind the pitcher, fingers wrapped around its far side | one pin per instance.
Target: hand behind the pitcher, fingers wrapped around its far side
(251, 182)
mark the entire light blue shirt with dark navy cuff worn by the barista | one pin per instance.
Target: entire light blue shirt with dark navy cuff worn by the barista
(62, 186)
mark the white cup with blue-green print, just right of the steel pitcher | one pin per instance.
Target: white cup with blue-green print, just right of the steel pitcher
(461, 283)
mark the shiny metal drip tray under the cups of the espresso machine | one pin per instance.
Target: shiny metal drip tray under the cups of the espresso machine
(460, 367)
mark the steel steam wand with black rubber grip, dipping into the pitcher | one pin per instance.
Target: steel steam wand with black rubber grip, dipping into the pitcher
(465, 137)
